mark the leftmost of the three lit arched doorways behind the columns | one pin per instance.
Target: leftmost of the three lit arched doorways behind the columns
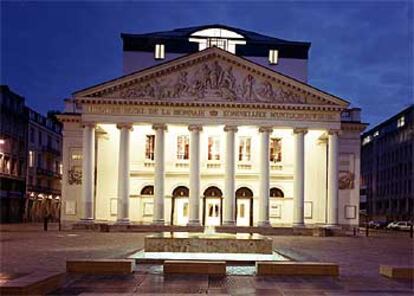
(179, 206)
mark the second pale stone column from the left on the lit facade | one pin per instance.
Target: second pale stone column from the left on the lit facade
(123, 174)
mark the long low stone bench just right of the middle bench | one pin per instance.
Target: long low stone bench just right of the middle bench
(297, 268)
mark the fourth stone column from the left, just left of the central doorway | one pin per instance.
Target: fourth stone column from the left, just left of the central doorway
(194, 200)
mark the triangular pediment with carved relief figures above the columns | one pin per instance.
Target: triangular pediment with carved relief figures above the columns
(210, 76)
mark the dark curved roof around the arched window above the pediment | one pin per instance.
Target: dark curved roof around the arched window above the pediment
(176, 41)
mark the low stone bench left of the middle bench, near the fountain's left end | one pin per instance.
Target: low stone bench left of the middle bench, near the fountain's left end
(101, 266)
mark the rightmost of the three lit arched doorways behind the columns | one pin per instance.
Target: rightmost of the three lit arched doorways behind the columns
(244, 207)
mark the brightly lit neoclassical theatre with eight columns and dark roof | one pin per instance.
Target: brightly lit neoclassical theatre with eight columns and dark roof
(211, 125)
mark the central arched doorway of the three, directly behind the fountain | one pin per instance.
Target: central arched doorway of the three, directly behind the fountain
(212, 205)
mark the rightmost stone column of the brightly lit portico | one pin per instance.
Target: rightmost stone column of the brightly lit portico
(333, 177)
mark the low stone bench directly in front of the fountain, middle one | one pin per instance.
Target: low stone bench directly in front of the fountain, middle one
(195, 267)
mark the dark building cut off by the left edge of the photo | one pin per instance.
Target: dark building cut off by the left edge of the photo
(13, 156)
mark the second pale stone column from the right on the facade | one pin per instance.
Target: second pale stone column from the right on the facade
(299, 177)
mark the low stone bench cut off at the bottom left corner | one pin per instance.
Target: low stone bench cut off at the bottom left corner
(37, 283)
